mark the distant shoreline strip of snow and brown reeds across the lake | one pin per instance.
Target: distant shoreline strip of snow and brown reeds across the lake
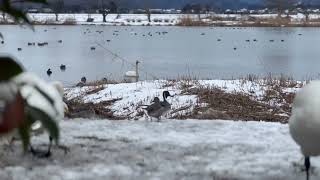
(185, 20)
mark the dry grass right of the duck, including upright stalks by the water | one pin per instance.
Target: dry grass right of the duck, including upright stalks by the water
(274, 105)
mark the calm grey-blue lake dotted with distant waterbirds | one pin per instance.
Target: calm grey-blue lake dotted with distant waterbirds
(202, 52)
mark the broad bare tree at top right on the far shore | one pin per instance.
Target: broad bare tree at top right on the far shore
(280, 5)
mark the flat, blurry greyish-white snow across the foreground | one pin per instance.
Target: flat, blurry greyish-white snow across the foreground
(170, 149)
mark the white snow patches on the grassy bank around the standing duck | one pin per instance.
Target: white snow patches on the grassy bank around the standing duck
(132, 95)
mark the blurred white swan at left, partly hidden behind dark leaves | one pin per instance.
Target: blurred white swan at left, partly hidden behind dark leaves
(47, 97)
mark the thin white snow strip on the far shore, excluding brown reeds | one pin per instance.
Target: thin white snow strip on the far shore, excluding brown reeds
(156, 19)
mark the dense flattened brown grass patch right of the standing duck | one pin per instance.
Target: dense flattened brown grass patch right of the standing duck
(236, 106)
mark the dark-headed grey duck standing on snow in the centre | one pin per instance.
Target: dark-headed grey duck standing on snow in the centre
(159, 108)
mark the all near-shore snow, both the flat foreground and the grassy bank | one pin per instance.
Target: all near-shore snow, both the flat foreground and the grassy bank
(169, 149)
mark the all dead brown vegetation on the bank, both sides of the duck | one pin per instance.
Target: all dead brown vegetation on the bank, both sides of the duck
(270, 102)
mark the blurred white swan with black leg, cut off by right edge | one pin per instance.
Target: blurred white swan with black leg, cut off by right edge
(304, 122)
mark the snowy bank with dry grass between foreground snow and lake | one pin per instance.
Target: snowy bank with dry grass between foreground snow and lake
(127, 98)
